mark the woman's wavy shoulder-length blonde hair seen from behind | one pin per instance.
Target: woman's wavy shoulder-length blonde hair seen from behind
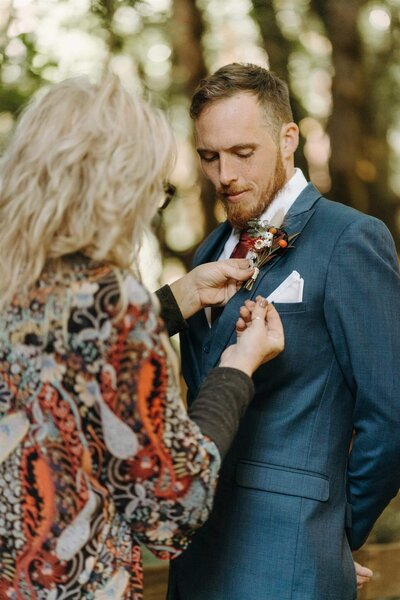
(84, 173)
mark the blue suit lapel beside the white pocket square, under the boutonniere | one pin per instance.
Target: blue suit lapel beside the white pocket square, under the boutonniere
(295, 222)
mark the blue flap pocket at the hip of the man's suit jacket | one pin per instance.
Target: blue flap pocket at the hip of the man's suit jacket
(282, 480)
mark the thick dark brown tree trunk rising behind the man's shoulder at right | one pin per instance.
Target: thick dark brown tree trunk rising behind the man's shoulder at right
(360, 152)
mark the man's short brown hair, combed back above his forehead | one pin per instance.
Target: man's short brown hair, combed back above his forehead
(272, 93)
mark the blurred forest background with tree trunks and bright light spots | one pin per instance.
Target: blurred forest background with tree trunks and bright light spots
(341, 59)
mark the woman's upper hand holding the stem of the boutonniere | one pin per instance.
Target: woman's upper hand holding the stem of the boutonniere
(211, 284)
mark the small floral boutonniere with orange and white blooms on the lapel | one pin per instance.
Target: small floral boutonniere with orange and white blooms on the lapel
(265, 242)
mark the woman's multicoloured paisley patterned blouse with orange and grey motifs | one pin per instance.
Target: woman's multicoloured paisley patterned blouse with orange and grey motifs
(96, 450)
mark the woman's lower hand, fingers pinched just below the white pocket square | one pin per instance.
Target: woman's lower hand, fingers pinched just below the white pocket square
(260, 337)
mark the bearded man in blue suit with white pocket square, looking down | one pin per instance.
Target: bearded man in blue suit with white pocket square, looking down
(317, 455)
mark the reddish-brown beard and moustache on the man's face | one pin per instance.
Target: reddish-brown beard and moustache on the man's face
(239, 214)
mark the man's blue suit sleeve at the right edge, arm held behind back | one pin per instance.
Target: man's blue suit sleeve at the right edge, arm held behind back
(362, 310)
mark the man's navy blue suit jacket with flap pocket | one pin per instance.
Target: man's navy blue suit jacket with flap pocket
(292, 500)
